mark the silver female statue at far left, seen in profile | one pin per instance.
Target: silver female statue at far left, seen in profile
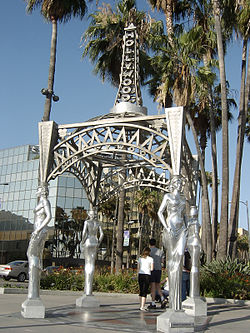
(36, 245)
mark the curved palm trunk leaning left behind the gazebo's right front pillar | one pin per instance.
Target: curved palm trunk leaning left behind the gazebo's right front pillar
(206, 216)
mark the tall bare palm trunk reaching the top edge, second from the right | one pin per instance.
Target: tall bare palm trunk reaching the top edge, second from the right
(223, 237)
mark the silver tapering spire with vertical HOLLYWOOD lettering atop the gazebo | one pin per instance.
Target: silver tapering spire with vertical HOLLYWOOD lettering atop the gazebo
(128, 98)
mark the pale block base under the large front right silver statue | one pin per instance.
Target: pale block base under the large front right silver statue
(175, 322)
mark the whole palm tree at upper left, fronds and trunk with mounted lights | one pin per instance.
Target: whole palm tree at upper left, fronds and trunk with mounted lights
(55, 11)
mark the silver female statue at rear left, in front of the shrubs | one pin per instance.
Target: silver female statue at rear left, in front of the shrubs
(90, 245)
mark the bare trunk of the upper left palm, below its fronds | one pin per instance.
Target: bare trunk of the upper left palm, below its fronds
(52, 65)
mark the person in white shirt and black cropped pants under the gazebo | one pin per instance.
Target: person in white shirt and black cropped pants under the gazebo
(145, 266)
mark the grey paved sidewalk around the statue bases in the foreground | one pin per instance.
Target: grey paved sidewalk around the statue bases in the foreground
(117, 313)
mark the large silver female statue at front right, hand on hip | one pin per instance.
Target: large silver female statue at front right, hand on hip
(174, 238)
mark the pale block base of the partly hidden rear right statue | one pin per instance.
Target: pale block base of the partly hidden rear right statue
(195, 306)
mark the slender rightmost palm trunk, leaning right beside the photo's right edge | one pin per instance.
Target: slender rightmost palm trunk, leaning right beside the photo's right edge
(244, 93)
